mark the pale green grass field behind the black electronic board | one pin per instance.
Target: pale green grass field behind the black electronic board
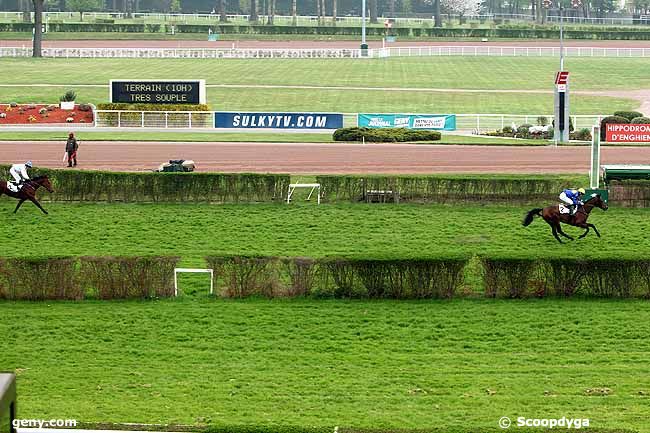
(404, 75)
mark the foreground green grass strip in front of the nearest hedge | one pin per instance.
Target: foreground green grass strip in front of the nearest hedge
(305, 362)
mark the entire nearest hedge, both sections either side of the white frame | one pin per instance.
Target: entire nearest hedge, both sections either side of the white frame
(244, 276)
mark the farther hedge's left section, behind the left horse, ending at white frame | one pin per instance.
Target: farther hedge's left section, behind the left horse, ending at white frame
(100, 186)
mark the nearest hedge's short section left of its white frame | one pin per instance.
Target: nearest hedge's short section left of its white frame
(87, 277)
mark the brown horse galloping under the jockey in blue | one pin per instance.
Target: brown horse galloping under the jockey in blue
(553, 217)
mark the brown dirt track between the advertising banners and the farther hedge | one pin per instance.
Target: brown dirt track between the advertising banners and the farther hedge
(325, 158)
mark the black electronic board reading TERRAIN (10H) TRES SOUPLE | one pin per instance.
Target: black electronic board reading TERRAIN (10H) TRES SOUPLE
(158, 91)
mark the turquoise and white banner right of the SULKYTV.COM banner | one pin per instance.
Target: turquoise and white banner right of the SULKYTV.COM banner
(446, 122)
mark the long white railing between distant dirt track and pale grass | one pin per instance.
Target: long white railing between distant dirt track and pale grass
(324, 53)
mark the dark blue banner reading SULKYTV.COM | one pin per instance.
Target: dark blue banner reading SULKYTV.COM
(278, 120)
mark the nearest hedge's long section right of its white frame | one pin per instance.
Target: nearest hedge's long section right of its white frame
(429, 278)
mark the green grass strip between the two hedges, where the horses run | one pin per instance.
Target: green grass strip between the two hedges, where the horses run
(303, 229)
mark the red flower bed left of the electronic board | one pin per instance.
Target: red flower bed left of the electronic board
(31, 114)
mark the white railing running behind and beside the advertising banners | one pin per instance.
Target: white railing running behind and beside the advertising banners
(205, 119)
